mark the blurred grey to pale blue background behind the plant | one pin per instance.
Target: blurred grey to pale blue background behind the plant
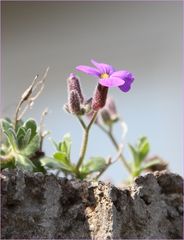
(142, 37)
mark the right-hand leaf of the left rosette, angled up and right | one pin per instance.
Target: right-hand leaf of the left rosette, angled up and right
(32, 147)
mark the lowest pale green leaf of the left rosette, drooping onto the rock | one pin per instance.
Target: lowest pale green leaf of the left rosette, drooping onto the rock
(23, 163)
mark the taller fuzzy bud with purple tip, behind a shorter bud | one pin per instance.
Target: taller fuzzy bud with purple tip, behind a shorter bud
(74, 85)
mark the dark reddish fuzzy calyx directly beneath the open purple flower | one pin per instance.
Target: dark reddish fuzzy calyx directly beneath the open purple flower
(99, 97)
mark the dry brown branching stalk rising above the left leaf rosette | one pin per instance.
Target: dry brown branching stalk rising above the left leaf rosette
(29, 96)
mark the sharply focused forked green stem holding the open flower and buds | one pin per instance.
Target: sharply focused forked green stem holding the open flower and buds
(85, 140)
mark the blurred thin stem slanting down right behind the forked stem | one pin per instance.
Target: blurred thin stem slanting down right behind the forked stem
(113, 140)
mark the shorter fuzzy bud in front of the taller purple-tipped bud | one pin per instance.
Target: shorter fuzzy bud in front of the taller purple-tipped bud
(74, 103)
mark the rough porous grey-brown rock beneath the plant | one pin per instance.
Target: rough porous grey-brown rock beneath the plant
(37, 206)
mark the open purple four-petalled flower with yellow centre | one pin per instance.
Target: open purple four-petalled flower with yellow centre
(108, 76)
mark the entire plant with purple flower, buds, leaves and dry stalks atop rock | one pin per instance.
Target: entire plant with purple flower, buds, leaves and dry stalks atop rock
(22, 146)
